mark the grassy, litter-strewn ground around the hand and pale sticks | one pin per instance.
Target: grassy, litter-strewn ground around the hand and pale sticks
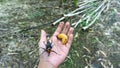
(22, 20)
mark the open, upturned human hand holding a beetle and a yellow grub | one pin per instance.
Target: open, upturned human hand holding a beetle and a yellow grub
(54, 59)
